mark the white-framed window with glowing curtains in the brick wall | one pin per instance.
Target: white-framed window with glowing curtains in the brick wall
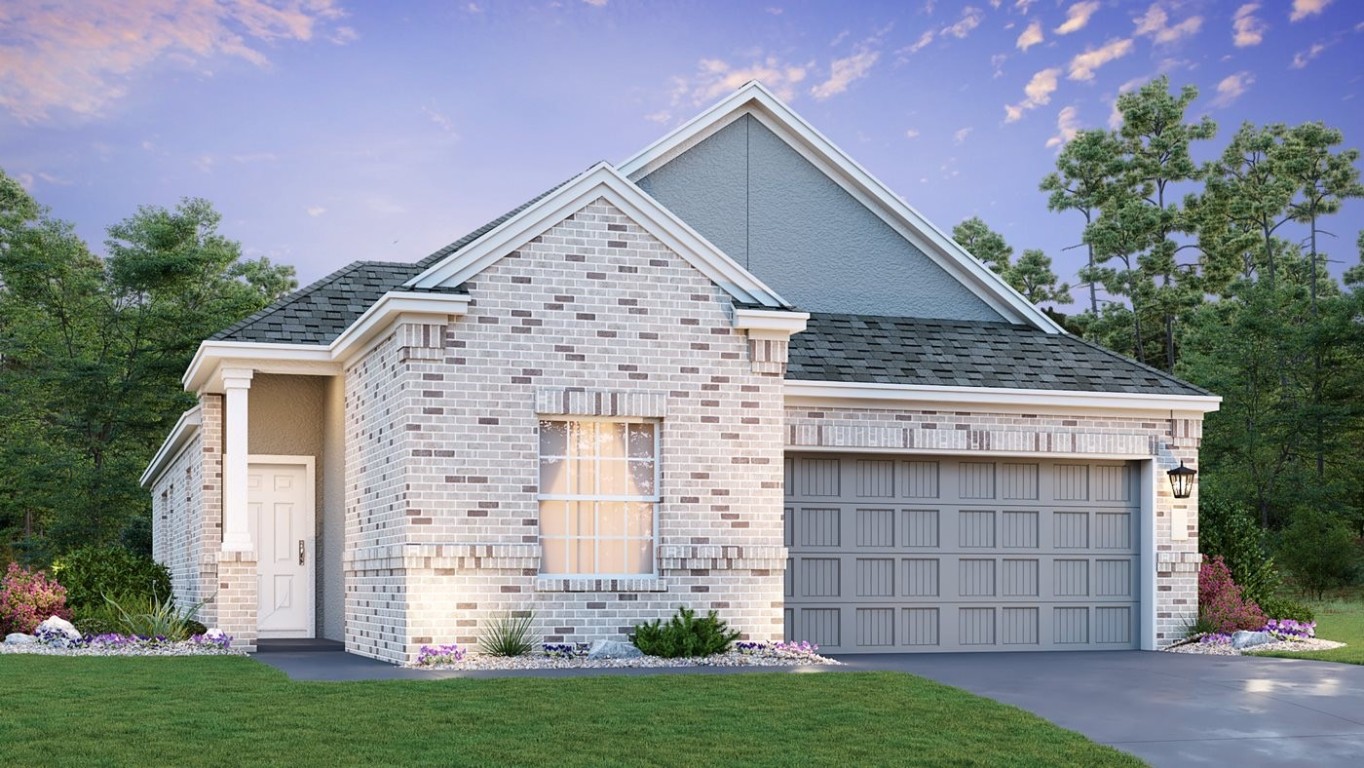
(599, 492)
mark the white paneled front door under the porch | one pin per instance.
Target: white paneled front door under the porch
(282, 519)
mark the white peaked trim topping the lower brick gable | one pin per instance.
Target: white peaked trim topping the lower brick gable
(602, 182)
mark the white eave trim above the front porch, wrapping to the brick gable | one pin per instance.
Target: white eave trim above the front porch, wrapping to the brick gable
(205, 372)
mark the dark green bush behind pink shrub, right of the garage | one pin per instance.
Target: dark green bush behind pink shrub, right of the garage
(1230, 530)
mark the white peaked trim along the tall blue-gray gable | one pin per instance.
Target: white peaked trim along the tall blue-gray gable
(867, 189)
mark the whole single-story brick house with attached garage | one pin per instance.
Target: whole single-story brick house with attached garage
(732, 373)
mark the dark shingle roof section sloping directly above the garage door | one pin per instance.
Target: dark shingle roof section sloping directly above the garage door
(917, 351)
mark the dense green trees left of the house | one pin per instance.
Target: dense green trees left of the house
(93, 350)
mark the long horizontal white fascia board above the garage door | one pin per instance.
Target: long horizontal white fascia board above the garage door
(1026, 400)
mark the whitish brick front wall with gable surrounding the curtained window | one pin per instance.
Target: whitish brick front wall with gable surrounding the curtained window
(445, 447)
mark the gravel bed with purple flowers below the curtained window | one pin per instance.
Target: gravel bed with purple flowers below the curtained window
(571, 657)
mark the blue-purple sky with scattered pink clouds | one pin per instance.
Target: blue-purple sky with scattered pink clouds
(328, 132)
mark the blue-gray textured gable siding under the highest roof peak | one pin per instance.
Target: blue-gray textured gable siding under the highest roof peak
(775, 213)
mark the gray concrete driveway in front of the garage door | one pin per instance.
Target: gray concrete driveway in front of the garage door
(1171, 709)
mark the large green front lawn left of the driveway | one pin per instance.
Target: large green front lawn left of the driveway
(215, 711)
